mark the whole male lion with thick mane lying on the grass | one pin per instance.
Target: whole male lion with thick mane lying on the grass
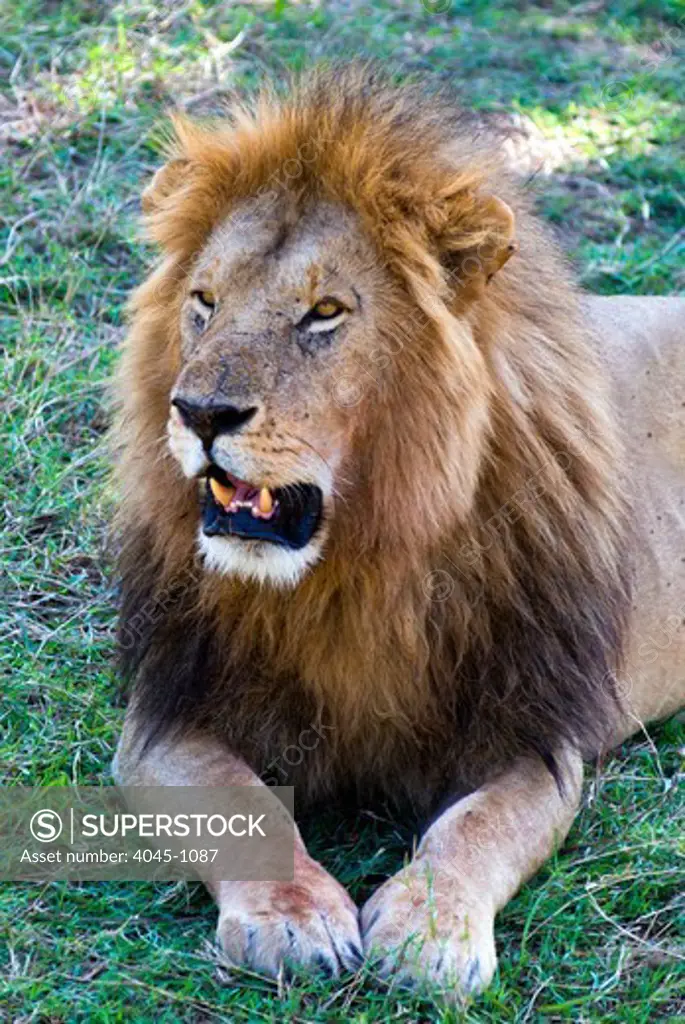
(371, 472)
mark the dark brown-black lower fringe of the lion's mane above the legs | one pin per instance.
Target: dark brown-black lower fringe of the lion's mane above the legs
(548, 678)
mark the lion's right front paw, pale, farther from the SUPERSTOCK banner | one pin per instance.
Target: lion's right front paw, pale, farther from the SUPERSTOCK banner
(420, 928)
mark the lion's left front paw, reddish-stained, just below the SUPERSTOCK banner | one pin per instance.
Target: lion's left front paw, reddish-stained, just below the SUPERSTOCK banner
(311, 922)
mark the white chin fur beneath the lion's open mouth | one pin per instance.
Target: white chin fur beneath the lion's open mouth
(264, 564)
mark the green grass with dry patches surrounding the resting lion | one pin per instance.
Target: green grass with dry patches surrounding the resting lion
(596, 935)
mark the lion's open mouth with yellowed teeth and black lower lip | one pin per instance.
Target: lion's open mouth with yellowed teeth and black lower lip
(288, 517)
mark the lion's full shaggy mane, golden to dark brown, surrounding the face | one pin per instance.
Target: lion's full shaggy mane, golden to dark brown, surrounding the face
(486, 621)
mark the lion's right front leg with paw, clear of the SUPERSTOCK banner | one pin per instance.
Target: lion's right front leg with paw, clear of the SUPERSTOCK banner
(435, 920)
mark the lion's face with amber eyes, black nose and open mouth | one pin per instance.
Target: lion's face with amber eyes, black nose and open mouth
(278, 315)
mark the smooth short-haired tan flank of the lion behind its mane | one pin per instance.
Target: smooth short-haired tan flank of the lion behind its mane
(643, 345)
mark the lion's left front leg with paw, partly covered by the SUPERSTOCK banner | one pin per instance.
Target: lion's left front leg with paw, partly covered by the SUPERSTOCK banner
(311, 921)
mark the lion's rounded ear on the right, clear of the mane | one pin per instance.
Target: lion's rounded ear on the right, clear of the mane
(486, 246)
